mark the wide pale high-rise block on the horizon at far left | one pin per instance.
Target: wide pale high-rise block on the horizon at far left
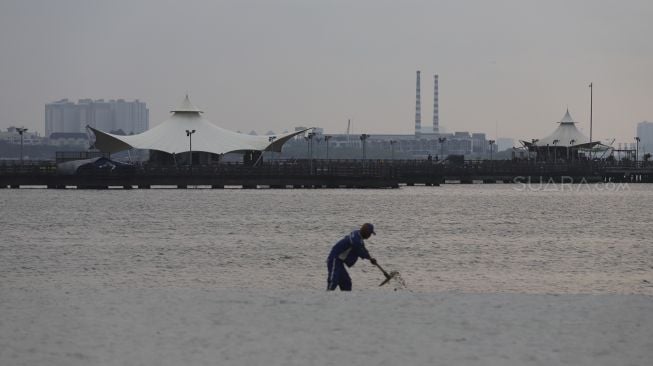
(113, 115)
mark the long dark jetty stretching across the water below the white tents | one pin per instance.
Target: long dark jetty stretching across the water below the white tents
(325, 174)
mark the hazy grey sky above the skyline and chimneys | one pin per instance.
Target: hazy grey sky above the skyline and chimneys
(273, 65)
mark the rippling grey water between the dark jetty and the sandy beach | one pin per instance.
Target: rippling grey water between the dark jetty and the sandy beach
(472, 238)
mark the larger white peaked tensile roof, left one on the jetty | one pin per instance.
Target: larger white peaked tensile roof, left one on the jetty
(170, 136)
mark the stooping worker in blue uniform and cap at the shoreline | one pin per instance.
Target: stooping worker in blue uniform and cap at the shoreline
(347, 251)
